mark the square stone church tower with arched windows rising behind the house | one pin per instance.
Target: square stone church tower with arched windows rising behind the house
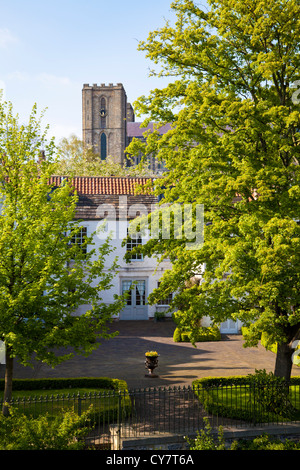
(105, 113)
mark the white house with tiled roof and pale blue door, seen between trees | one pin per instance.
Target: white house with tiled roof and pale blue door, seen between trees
(114, 200)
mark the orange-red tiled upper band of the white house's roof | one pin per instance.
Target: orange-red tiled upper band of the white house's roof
(103, 185)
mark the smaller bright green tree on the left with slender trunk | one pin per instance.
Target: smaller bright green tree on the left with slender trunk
(44, 275)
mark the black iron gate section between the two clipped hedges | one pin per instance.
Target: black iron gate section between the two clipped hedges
(149, 412)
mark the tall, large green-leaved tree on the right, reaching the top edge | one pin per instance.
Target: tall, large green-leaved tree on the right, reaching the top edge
(234, 147)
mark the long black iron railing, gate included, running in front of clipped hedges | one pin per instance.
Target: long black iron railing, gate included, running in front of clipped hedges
(114, 414)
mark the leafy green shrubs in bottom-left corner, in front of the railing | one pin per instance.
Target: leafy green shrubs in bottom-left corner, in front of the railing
(64, 432)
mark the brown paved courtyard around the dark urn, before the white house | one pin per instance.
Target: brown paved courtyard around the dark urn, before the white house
(179, 363)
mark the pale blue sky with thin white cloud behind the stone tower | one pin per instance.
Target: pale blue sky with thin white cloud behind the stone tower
(48, 50)
